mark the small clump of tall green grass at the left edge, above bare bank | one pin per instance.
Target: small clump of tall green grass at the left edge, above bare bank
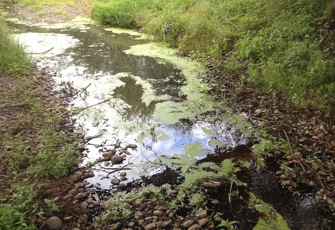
(12, 56)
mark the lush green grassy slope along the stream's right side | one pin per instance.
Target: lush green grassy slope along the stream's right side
(280, 46)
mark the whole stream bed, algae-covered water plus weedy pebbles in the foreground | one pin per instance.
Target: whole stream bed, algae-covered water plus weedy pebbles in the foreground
(161, 153)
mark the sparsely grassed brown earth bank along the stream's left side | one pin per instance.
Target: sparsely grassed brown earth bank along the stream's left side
(33, 146)
